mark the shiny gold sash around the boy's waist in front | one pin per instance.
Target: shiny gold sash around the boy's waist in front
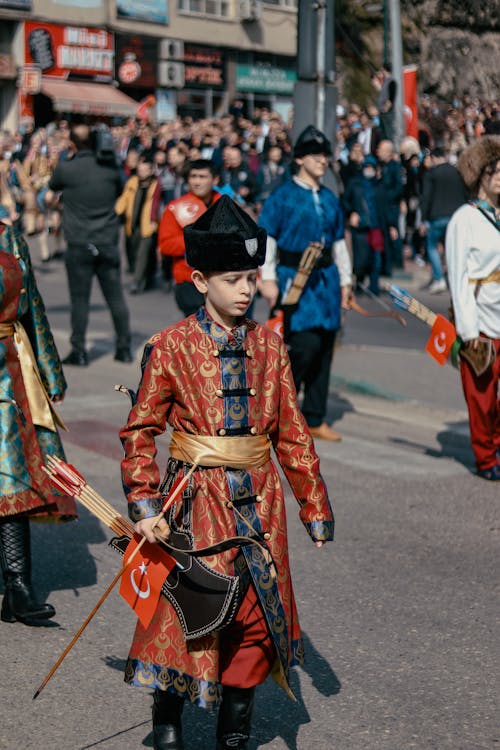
(240, 452)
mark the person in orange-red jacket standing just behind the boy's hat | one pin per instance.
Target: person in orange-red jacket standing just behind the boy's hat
(201, 179)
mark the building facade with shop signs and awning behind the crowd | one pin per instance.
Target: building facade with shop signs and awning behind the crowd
(102, 58)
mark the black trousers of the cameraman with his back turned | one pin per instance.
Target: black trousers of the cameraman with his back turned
(82, 264)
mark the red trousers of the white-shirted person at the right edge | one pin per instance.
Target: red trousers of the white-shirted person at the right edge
(483, 402)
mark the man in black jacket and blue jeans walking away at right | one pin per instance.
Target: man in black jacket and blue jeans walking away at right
(443, 192)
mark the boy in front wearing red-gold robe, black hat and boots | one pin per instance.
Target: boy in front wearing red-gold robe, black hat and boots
(224, 384)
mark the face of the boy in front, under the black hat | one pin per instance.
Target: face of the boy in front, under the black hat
(228, 294)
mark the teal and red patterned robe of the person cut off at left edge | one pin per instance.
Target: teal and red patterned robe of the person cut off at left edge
(24, 486)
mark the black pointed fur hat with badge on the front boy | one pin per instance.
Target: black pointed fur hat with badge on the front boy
(225, 238)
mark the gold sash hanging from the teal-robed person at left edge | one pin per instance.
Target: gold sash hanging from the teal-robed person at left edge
(42, 411)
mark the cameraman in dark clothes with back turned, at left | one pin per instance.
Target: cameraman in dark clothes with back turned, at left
(91, 227)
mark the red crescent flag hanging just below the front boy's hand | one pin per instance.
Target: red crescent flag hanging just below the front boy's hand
(141, 582)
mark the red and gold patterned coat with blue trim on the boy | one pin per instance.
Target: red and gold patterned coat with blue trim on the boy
(191, 373)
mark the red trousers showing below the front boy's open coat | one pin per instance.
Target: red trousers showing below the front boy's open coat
(246, 648)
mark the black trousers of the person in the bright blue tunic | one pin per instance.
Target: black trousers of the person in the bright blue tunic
(311, 354)
